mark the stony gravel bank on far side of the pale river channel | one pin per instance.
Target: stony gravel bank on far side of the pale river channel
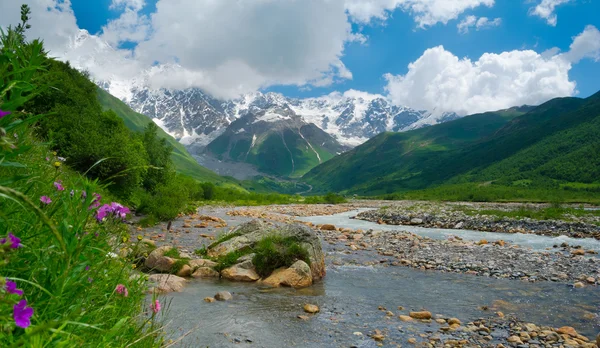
(436, 217)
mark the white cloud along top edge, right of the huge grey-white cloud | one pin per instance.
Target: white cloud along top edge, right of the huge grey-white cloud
(425, 12)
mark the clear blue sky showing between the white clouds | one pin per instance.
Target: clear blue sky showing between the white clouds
(392, 45)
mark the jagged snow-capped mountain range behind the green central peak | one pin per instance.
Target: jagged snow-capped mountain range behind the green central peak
(195, 118)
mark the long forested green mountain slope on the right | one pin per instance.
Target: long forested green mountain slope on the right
(549, 142)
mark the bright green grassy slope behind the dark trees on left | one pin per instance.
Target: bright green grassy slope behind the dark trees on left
(184, 162)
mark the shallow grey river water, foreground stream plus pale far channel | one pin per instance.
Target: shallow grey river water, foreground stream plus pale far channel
(349, 297)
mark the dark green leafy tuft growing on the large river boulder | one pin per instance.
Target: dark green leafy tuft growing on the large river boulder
(275, 252)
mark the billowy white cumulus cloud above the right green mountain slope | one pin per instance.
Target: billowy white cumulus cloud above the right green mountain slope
(441, 81)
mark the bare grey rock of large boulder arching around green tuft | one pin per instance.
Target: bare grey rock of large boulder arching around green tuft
(252, 232)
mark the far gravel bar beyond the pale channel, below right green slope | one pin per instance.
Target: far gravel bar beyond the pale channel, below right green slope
(453, 216)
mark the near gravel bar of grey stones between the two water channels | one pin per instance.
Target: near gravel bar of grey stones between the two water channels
(498, 260)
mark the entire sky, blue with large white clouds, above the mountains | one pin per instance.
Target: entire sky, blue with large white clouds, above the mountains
(463, 56)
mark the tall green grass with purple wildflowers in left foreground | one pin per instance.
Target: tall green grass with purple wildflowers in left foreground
(62, 282)
